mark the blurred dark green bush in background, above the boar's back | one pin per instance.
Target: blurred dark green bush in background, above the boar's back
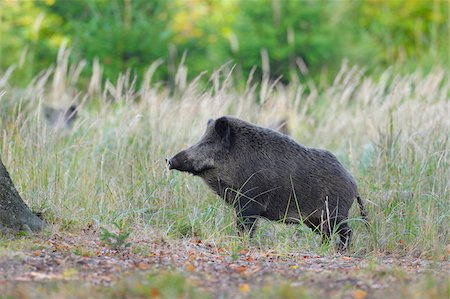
(289, 31)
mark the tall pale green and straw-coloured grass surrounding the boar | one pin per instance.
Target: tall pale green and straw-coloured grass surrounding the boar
(392, 133)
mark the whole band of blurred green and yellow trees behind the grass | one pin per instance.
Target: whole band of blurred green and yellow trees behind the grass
(299, 37)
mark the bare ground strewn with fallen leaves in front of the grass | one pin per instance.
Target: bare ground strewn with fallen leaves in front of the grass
(217, 271)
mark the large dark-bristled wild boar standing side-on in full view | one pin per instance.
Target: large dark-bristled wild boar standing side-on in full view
(263, 173)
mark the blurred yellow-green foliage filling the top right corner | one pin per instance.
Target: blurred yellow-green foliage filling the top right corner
(398, 32)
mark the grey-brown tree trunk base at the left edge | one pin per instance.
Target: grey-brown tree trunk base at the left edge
(14, 213)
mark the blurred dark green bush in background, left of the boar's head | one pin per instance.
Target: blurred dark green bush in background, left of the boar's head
(120, 34)
